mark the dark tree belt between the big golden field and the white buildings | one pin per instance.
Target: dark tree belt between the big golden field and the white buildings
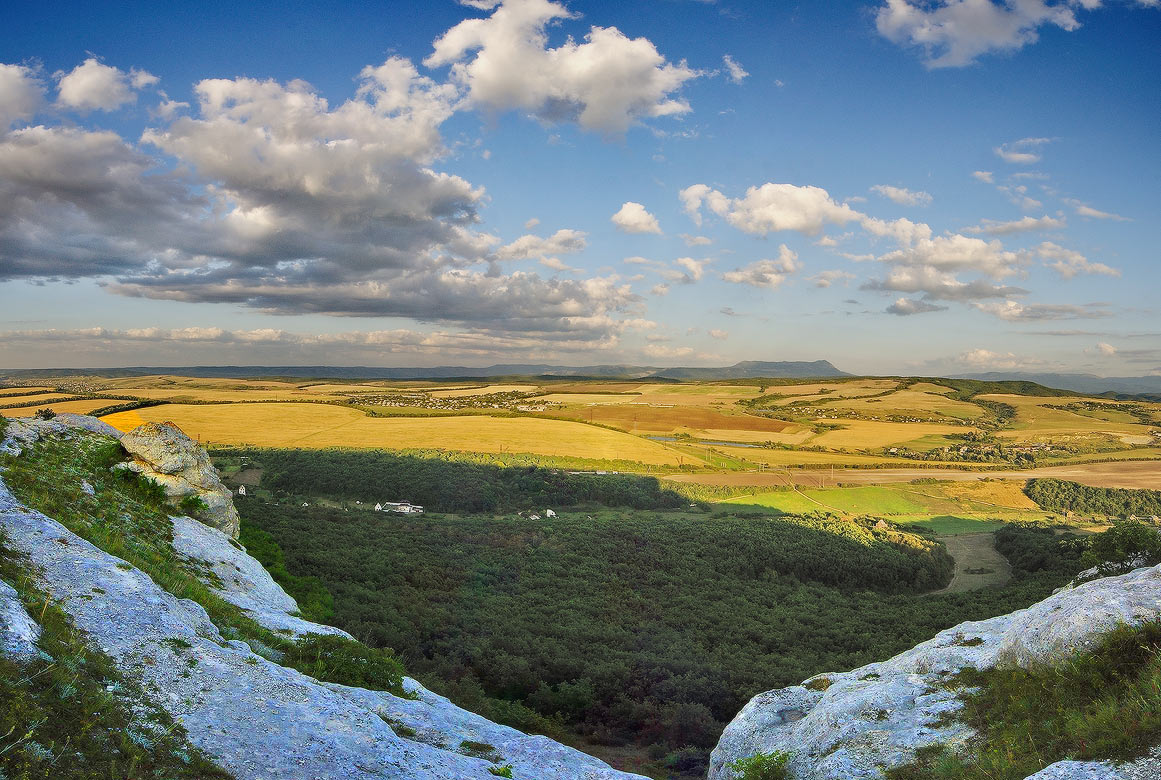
(446, 486)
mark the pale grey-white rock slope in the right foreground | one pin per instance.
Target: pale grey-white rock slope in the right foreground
(850, 725)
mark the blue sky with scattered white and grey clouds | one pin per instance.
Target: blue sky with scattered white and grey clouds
(896, 186)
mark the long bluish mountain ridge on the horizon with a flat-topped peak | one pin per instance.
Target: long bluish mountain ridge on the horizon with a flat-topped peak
(745, 370)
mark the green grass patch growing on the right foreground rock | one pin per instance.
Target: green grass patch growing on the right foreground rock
(1099, 705)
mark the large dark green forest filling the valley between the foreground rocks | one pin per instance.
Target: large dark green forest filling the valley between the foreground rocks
(625, 627)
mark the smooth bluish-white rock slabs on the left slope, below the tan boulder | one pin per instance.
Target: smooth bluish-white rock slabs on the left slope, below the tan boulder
(256, 719)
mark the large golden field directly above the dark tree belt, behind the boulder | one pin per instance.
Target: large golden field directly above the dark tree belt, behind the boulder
(322, 425)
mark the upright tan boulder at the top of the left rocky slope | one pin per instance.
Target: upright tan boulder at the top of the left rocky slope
(167, 456)
